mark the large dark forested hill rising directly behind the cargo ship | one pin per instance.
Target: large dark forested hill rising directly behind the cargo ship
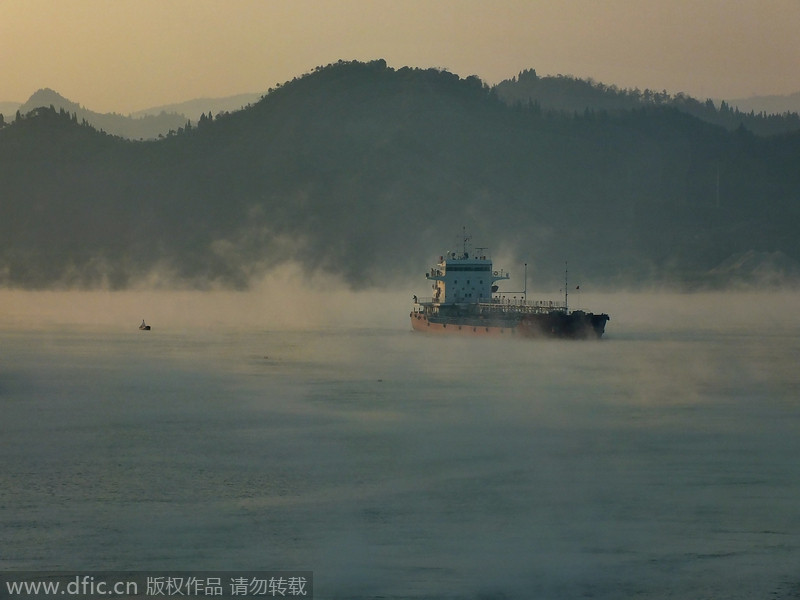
(370, 172)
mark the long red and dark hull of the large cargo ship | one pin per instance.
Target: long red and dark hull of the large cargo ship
(554, 324)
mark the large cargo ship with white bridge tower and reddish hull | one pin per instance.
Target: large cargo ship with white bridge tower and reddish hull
(466, 301)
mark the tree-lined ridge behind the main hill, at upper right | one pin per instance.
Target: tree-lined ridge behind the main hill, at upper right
(568, 94)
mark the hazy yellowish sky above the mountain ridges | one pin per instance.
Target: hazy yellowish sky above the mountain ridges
(127, 55)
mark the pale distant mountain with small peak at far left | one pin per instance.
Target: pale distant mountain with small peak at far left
(148, 126)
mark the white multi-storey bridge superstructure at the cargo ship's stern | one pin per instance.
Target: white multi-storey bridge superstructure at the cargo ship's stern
(459, 278)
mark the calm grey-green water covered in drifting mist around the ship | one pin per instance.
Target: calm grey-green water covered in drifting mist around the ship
(660, 462)
